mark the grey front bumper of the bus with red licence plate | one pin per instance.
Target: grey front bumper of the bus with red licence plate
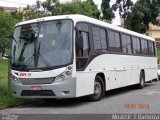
(63, 89)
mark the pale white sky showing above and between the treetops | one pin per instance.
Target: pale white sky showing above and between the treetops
(23, 3)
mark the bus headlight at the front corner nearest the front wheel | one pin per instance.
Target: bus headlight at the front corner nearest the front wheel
(64, 76)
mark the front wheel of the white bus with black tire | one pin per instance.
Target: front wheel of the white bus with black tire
(99, 90)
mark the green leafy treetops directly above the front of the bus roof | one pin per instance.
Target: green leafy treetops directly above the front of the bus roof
(54, 7)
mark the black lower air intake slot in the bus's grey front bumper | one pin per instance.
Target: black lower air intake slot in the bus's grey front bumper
(37, 93)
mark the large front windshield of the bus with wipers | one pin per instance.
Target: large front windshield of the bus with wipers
(42, 45)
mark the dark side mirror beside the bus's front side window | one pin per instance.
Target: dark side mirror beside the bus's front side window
(79, 39)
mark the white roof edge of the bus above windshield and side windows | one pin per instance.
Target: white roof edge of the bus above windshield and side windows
(81, 18)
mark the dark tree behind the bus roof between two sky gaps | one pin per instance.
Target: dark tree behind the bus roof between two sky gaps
(107, 11)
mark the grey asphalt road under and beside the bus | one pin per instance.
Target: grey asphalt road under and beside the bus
(123, 100)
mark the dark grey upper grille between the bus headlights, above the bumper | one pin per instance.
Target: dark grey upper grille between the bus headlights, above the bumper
(34, 81)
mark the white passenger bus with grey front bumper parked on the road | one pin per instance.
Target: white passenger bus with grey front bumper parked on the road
(71, 56)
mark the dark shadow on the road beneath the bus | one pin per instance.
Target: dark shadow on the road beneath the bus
(74, 102)
